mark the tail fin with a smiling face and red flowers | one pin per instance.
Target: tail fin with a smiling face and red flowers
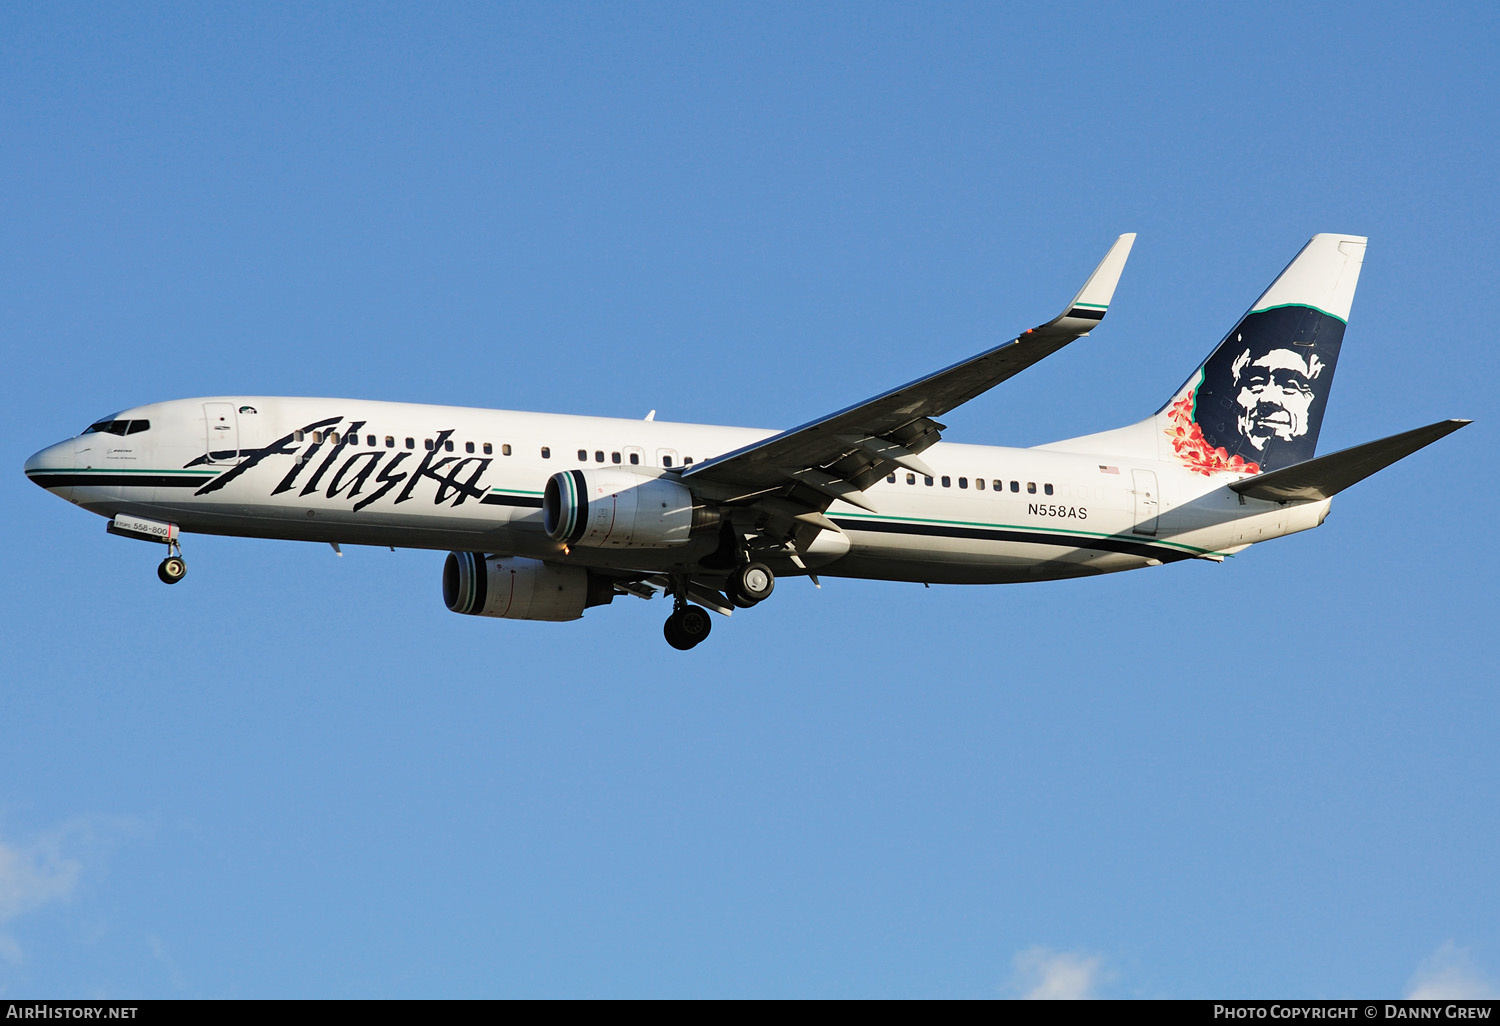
(1258, 403)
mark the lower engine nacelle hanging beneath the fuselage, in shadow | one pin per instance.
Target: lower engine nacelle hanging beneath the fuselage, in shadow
(520, 589)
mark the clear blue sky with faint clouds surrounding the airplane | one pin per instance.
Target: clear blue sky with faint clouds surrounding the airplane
(301, 776)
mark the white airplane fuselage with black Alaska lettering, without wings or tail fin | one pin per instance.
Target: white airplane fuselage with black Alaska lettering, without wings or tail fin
(449, 478)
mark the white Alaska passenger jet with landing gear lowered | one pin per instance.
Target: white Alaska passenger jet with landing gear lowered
(548, 515)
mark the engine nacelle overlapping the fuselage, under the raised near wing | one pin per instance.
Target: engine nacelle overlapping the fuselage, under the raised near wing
(617, 509)
